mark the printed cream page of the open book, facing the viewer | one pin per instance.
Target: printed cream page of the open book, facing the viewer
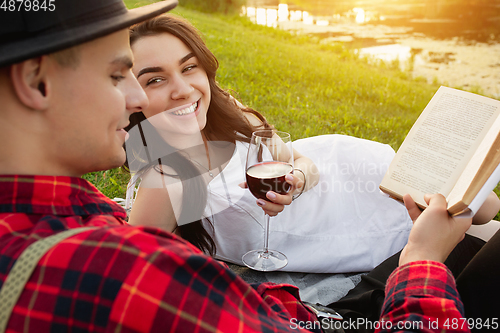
(440, 144)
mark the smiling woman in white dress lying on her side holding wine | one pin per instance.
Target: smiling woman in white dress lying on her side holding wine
(345, 224)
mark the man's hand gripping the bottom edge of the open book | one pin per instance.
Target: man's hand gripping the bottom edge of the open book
(435, 233)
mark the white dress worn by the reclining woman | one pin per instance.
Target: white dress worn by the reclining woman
(343, 224)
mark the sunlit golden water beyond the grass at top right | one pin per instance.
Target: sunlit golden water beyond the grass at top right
(455, 45)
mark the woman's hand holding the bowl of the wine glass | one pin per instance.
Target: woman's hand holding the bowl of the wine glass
(275, 202)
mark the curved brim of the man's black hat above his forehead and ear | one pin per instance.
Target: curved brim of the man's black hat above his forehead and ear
(35, 46)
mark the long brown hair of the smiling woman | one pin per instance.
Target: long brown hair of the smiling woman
(225, 118)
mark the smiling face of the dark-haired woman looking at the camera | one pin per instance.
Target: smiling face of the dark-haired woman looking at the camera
(175, 83)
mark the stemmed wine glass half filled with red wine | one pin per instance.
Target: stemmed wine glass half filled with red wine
(269, 160)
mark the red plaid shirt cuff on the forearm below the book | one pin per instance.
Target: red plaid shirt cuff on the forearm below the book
(421, 296)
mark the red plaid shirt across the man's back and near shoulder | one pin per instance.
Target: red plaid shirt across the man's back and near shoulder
(123, 278)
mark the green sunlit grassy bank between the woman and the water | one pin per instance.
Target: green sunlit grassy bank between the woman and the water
(303, 87)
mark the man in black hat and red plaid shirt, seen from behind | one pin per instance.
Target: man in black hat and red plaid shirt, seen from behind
(67, 92)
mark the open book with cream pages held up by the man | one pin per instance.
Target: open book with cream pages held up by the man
(453, 149)
